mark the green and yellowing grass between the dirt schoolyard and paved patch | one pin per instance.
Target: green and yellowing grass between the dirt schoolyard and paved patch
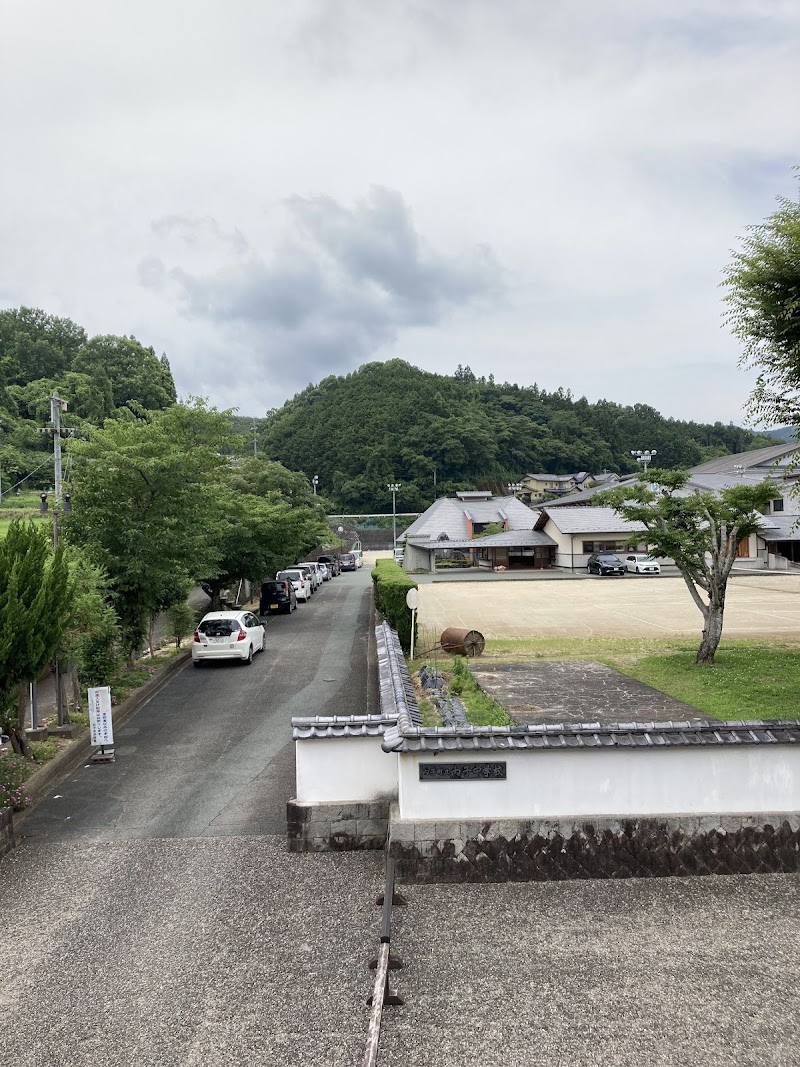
(750, 680)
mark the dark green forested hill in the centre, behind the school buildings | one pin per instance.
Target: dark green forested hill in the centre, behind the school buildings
(391, 422)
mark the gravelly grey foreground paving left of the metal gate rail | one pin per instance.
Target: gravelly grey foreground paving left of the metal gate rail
(213, 952)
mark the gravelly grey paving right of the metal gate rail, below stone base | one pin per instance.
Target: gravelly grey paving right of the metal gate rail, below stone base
(668, 973)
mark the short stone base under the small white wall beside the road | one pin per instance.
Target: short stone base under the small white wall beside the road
(337, 827)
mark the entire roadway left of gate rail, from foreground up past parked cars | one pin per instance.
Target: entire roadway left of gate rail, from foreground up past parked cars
(152, 915)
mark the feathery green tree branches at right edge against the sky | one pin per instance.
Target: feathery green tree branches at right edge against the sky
(763, 284)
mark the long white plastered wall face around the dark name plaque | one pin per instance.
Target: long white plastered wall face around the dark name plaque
(751, 779)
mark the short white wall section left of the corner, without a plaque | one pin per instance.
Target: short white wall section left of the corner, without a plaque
(341, 770)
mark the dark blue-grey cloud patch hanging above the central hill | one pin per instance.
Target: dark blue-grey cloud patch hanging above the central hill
(339, 286)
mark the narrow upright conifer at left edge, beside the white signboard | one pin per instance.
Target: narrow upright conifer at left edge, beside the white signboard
(37, 596)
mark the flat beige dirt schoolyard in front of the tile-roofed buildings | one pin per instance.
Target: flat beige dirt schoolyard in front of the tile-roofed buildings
(633, 607)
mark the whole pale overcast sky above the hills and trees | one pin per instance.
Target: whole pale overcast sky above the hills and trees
(275, 192)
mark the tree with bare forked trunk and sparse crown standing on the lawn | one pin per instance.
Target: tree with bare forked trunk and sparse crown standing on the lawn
(700, 532)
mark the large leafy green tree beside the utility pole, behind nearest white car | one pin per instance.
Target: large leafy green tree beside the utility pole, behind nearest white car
(149, 505)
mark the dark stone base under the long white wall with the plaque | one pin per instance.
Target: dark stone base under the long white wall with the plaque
(604, 848)
